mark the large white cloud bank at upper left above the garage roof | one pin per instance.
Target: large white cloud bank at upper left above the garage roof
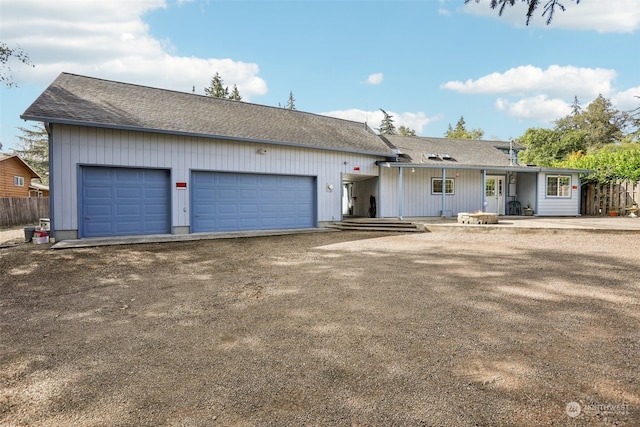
(110, 40)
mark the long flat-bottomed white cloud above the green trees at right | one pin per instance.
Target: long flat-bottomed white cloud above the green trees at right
(586, 83)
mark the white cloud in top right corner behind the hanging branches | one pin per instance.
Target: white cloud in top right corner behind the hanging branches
(616, 16)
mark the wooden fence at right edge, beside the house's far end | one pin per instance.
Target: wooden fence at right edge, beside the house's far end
(600, 199)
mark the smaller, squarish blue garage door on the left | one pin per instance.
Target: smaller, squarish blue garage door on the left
(124, 202)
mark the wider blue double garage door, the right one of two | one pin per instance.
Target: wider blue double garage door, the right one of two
(224, 201)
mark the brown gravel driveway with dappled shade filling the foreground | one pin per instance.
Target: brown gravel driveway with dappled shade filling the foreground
(349, 328)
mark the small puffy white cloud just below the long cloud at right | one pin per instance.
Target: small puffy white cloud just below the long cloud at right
(538, 107)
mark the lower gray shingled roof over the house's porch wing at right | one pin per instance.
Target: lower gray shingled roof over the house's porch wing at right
(462, 152)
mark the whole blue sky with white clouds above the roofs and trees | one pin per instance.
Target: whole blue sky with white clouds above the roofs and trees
(425, 62)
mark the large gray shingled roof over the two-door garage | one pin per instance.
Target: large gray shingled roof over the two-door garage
(90, 101)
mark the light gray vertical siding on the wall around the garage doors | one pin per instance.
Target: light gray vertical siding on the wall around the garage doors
(74, 146)
